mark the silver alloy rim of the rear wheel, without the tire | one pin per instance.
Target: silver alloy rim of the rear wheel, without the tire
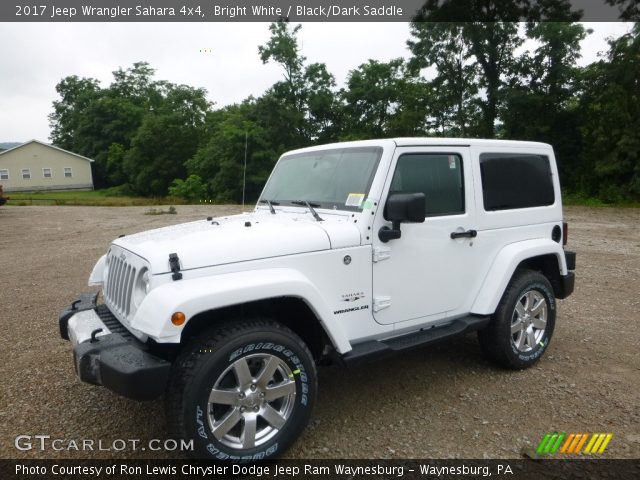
(529, 321)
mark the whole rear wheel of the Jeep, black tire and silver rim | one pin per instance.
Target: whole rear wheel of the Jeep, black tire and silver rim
(523, 323)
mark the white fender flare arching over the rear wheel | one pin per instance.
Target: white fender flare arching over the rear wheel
(504, 266)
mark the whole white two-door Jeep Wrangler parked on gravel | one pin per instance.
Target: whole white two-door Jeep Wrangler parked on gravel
(355, 250)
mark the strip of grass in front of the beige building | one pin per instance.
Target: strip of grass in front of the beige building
(94, 198)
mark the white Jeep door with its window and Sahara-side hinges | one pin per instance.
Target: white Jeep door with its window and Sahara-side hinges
(424, 275)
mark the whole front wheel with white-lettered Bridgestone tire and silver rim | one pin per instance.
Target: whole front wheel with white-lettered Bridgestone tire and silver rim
(244, 392)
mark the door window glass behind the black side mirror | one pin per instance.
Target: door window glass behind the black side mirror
(437, 175)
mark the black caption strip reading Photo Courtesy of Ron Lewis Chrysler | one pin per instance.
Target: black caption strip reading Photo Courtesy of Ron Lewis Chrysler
(321, 469)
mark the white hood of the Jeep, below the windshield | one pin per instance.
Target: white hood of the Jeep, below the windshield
(238, 238)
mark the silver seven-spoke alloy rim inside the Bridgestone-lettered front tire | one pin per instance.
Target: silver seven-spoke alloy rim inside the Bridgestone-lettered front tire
(251, 401)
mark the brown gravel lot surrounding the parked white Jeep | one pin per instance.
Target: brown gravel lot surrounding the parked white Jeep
(437, 402)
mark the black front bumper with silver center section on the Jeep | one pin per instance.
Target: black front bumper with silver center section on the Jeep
(105, 353)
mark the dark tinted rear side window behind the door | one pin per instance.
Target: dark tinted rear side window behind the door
(514, 180)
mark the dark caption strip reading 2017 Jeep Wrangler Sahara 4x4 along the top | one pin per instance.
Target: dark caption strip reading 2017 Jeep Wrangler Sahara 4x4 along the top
(310, 10)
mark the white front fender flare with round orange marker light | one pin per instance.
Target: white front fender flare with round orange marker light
(194, 296)
